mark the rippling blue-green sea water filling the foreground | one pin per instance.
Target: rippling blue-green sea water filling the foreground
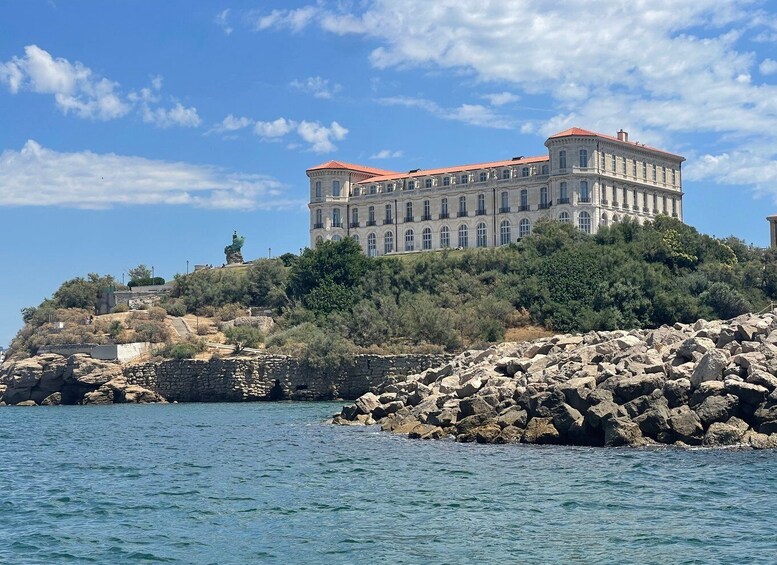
(248, 483)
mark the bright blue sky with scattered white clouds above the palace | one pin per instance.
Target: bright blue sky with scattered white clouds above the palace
(146, 132)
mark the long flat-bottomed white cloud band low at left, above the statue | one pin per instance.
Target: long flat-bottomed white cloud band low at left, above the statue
(91, 180)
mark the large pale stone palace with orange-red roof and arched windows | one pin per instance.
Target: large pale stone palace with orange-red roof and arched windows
(586, 178)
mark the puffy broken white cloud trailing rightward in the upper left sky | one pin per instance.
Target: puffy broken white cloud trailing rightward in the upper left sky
(78, 90)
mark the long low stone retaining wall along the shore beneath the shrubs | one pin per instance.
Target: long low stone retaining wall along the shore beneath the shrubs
(272, 377)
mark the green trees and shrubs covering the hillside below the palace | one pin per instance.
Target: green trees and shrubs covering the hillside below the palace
(332, 300)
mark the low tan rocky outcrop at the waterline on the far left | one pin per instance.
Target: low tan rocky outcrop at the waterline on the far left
(52, 379)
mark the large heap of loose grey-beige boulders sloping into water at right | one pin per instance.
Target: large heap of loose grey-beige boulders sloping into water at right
(709, 384)
